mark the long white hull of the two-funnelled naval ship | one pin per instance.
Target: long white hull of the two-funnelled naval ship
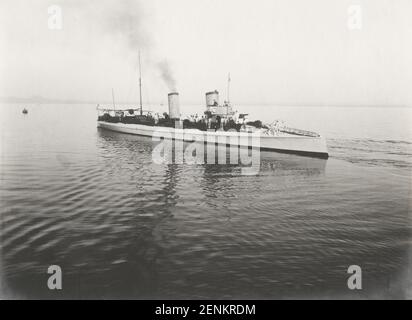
(308, 146)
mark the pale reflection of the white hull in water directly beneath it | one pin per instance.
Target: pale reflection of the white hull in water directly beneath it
(261, 162)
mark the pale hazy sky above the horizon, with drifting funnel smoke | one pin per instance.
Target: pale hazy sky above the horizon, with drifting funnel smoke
(279, 52)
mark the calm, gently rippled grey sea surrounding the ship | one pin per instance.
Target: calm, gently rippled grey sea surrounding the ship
(120, 226)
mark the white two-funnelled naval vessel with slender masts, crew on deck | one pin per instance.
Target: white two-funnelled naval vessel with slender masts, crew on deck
(220, 124)
